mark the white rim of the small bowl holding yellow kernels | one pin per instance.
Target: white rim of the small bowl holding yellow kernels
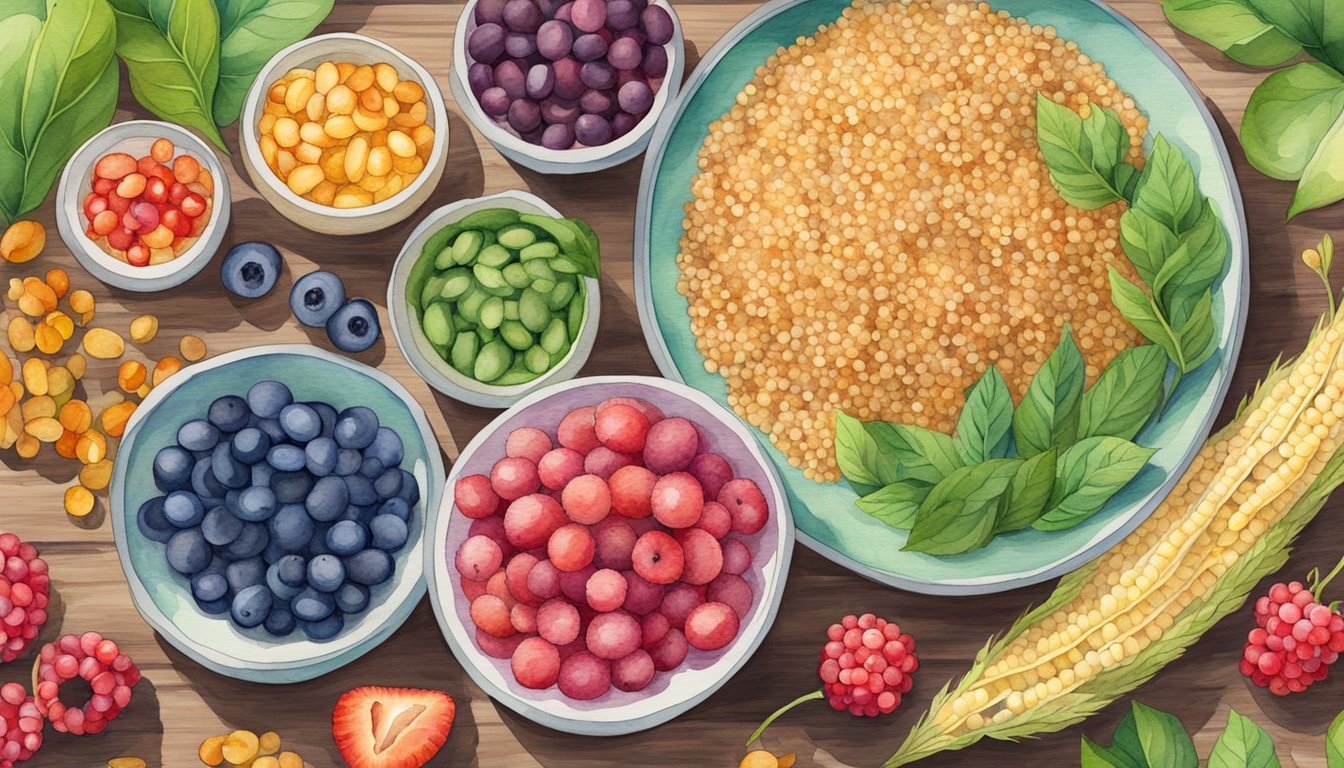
(251, 145)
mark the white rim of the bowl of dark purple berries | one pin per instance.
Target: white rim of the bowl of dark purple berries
(575, 157)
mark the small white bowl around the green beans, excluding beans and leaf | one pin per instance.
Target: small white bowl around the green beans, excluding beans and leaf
(421, 354)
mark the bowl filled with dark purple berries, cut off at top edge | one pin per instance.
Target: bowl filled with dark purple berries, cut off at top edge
(566, 87)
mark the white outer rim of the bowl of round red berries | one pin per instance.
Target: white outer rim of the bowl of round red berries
(709, 680)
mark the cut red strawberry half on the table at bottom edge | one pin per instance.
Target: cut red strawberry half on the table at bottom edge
(378, 727)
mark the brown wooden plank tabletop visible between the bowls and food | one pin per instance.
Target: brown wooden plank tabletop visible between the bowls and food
(178, 704)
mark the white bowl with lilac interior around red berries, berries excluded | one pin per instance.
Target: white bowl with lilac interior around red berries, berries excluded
(702, 673)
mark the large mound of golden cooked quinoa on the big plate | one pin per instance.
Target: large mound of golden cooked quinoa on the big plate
(873, 224)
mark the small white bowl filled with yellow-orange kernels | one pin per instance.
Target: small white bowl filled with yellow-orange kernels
(345, 135)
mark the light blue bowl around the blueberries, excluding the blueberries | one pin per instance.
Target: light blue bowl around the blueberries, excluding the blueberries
(163, 597)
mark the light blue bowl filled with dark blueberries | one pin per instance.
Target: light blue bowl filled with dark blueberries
(269, 506)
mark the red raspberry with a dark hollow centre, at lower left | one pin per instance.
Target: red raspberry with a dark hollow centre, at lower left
(111, 676)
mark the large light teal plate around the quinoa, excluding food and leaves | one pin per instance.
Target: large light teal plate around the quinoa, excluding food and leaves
(825, 514)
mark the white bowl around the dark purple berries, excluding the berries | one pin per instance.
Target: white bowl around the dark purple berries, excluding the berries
(564, 162)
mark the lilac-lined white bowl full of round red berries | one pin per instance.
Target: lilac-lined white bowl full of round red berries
(610, 552)
